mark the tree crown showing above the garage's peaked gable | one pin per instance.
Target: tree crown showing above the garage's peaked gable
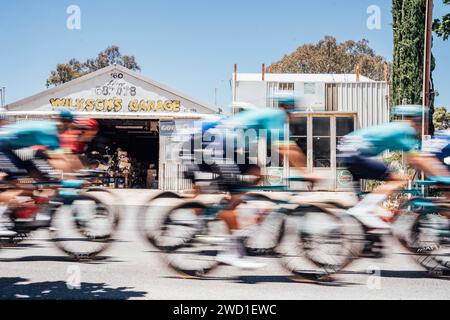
(75, 69)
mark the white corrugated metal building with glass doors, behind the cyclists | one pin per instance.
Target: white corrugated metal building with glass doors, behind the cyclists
(332, 106)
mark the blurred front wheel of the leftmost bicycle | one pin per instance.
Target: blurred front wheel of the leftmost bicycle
(83, 228)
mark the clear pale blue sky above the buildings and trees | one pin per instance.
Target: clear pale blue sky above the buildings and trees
(189, 45)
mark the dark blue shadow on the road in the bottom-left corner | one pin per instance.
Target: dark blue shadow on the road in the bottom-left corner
(18, 289)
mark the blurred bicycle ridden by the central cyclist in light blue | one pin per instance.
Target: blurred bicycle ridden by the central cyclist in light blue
(191, 234)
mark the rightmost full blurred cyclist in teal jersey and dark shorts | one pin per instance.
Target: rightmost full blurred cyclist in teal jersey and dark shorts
(359, 150)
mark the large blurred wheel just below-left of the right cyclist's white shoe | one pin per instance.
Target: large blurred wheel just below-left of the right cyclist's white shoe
(329, 240)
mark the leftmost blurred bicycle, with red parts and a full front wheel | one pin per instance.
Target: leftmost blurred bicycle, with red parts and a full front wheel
(73, 205)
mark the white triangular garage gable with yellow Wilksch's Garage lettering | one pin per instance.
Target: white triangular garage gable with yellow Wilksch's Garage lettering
(112, 90)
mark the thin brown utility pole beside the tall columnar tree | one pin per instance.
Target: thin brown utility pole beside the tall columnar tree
(427, 63)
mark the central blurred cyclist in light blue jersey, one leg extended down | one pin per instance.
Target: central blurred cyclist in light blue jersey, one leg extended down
(229, 155)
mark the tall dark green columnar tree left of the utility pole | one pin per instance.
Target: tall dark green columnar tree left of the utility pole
(408, 61)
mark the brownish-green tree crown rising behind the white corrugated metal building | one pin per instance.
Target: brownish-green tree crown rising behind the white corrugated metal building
(329, 56)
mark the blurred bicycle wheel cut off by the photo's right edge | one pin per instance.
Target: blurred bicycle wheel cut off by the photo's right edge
(429, 241)
